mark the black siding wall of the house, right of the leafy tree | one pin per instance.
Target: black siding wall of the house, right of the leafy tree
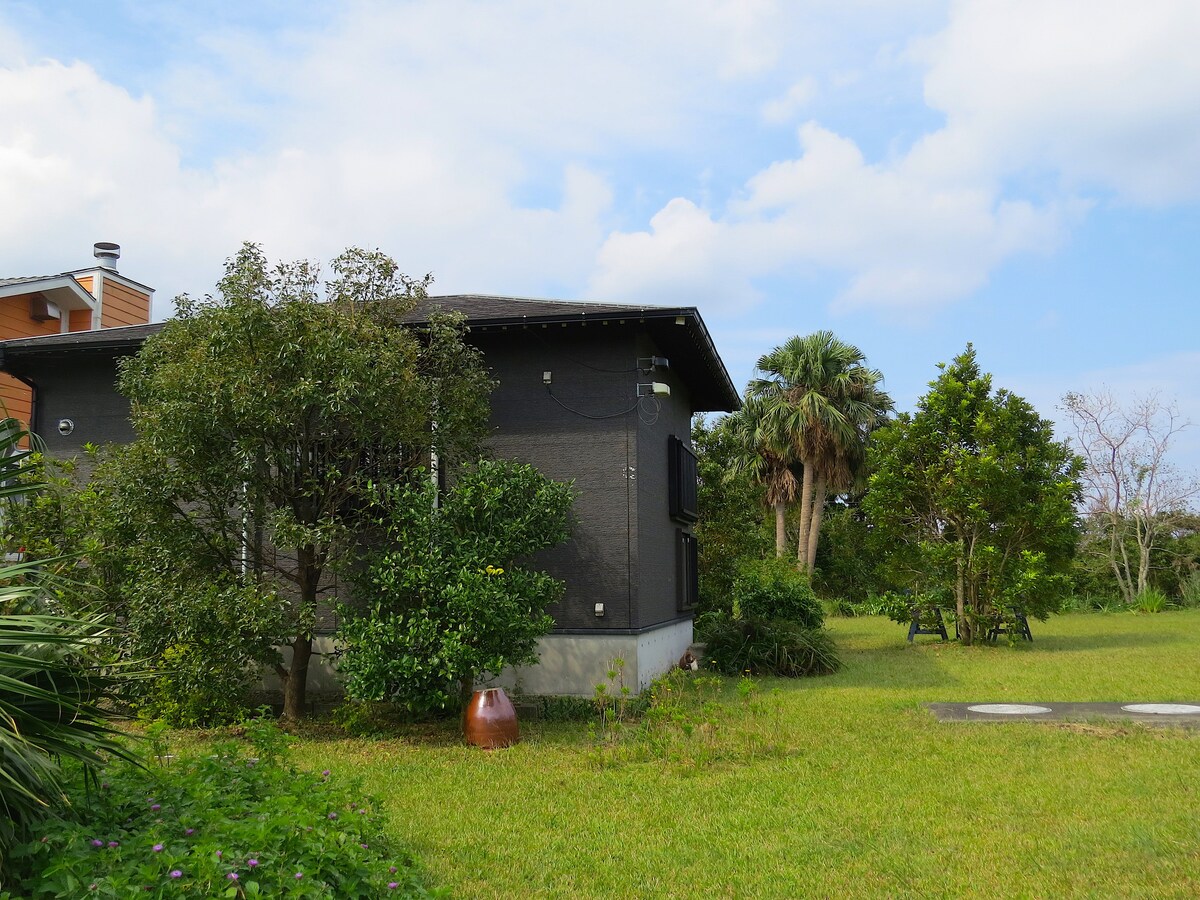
(590, 427)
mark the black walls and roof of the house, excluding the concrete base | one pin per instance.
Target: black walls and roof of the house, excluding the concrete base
(589, 427)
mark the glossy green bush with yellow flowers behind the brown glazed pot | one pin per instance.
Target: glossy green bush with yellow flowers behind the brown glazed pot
(451, 596)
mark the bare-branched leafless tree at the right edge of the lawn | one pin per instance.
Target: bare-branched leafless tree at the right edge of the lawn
(1133, 495)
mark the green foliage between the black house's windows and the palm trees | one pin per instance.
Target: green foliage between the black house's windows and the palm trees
(731, 527)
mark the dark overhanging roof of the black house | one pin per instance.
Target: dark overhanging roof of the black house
(679, 332)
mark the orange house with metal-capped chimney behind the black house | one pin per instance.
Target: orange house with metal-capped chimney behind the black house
(81, 301)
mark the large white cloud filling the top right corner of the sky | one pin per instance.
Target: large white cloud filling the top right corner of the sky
(1102, 93)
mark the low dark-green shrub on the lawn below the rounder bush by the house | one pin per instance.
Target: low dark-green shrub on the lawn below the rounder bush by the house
(764, 647)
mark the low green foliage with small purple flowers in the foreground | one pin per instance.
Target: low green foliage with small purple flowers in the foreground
(220, 824)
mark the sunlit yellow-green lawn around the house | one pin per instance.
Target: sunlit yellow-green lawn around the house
(837, 787)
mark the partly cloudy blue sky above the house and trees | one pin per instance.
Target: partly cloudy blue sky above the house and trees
(911, 175)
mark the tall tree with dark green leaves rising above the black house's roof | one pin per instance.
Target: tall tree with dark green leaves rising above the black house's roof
(266, 412)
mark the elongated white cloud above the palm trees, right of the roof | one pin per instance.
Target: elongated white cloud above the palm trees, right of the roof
(903, 241)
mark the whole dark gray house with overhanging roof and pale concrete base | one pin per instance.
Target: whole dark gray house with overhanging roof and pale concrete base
(599, 394)
